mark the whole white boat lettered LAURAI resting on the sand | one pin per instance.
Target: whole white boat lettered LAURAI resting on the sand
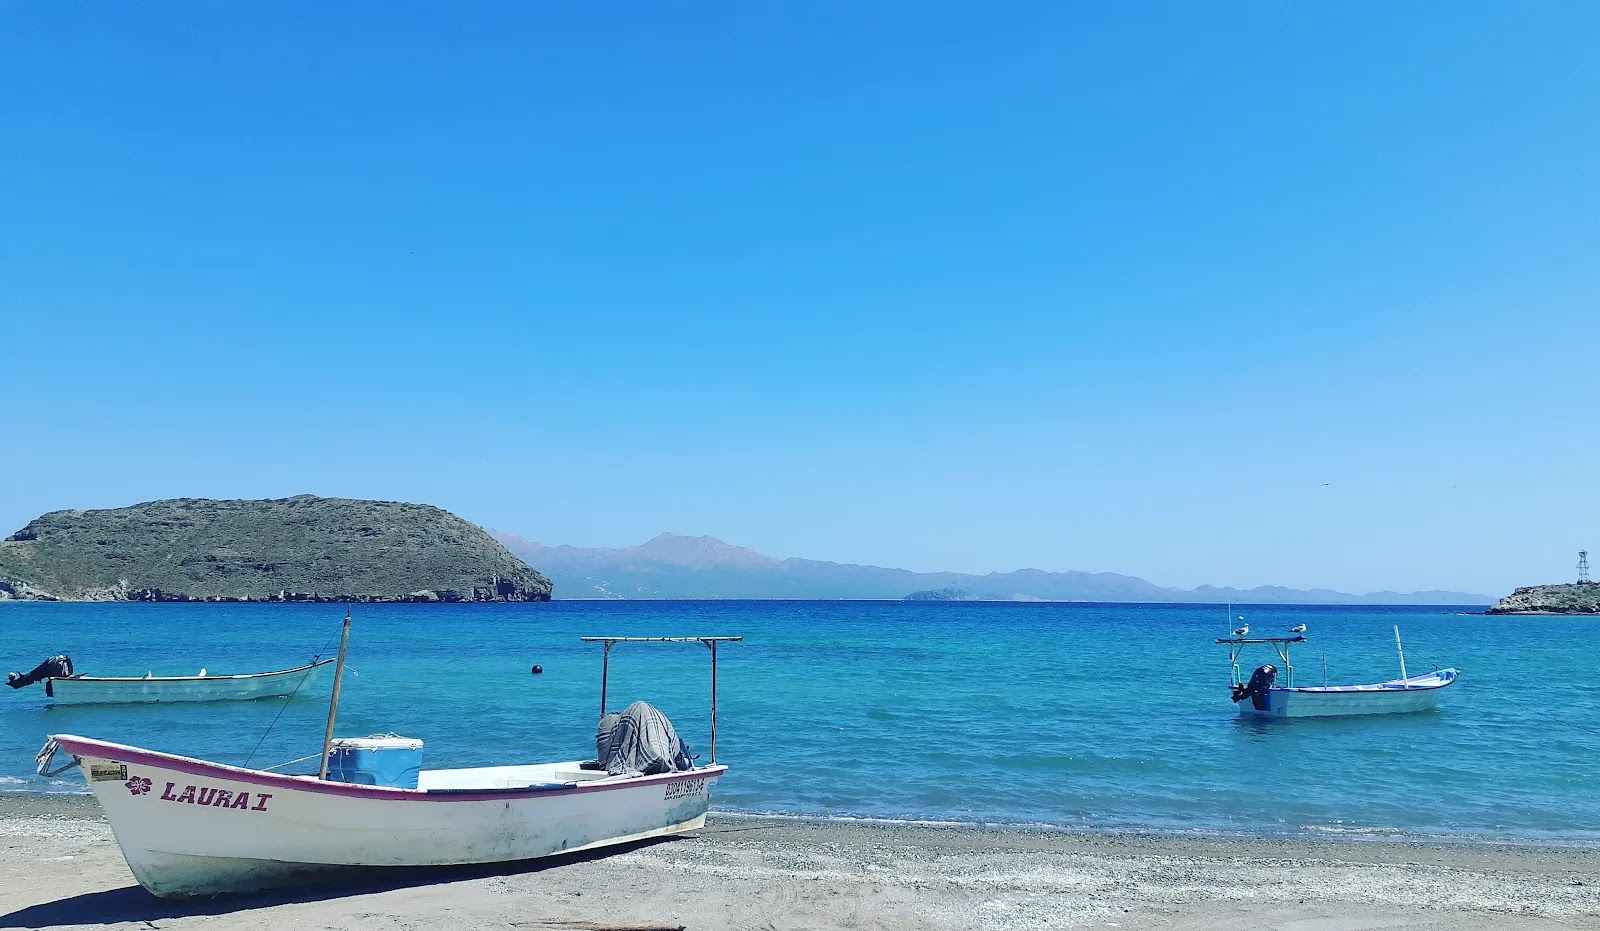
(193, 828)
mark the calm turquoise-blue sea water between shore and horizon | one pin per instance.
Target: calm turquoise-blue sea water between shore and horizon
(1076, 716)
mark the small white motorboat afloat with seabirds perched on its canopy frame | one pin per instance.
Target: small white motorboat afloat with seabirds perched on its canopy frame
(1262, 698)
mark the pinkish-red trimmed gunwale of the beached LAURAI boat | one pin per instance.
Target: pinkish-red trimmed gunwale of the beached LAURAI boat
(191, 767)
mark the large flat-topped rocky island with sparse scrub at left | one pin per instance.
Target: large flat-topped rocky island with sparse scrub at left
(290, 549)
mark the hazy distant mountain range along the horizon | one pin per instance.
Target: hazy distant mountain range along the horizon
(703, 567)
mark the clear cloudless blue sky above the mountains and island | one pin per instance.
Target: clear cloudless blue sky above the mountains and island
(1241, 294)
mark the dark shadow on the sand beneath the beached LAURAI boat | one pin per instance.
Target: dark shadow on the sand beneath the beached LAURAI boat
(135, 905)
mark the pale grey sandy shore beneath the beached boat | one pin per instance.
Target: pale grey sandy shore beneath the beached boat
(60, 868)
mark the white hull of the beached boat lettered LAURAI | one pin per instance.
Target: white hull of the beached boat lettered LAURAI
(190, 828)
